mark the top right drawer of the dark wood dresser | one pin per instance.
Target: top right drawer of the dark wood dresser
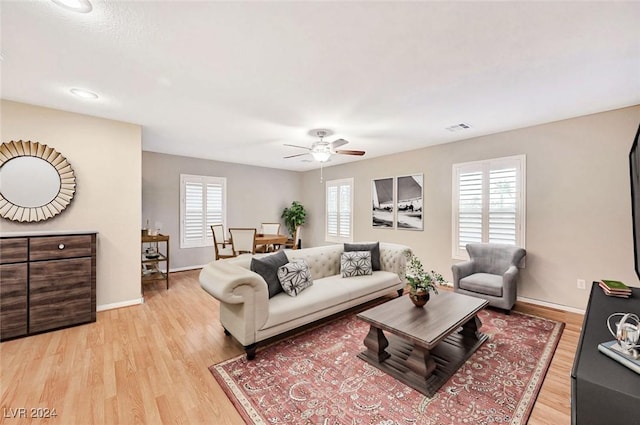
(56, 247)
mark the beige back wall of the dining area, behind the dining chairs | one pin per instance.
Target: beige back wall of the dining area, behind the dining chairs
(254, 195)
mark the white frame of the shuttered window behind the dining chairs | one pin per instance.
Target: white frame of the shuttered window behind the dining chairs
(207, 239)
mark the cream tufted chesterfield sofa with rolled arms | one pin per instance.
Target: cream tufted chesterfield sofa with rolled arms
(247, 312)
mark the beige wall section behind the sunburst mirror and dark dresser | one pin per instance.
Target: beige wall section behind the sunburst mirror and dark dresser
(105, 156)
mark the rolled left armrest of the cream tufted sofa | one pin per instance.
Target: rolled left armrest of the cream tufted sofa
(235, 285)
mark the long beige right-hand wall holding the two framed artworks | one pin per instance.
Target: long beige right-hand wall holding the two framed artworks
(578, 201)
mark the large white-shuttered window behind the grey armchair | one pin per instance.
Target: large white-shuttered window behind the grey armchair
(488, 203)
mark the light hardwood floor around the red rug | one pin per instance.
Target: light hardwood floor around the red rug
(147, 364)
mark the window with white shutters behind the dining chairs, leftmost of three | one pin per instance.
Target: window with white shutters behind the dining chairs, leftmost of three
(203, 202)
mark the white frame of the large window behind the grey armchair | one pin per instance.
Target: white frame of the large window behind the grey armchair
(485, 167)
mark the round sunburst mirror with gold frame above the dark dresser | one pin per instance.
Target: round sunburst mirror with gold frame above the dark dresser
(36, 181)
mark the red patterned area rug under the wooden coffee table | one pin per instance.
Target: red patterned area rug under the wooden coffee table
(316, 378)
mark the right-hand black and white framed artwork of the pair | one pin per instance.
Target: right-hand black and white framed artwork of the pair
(409, 202)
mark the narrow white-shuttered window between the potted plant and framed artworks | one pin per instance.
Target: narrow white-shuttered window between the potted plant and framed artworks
(339, 211)
